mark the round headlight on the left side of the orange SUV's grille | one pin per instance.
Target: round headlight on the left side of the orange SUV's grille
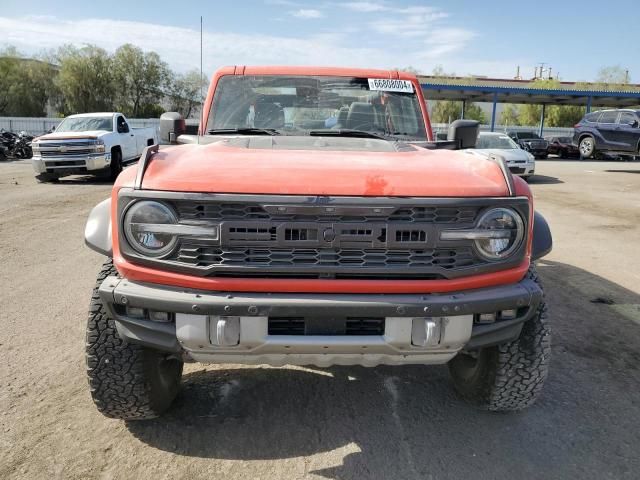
(148, 228)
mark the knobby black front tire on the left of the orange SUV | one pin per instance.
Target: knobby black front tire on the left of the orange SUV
(127, 381)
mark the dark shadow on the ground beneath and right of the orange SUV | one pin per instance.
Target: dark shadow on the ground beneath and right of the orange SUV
(394, 422)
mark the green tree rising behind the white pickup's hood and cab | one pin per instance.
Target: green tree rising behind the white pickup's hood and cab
(85, 79)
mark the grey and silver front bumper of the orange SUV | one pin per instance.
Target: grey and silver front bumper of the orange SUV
(194, 316)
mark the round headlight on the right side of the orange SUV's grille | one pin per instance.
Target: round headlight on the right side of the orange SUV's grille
(503, 231)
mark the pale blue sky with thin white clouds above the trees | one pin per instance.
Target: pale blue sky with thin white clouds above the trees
(469, 38)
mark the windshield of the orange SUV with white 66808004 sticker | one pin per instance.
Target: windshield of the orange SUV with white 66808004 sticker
(297, 105)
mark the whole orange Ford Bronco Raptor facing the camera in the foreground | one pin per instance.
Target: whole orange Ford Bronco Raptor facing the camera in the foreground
(314, 221)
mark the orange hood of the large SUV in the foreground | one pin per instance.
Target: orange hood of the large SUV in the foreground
(277, 165)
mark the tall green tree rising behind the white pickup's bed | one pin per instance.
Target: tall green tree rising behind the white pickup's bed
(140, 79)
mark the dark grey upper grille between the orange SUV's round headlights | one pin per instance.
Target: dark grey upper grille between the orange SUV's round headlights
(325, 238)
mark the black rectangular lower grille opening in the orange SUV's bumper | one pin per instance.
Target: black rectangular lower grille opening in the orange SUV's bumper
(349, 326)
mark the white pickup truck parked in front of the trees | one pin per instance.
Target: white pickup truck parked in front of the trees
(95, 143)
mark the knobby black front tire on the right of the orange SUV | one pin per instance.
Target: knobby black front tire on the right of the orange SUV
(510, 376)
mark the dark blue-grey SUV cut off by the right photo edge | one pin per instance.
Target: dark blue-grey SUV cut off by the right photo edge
(610, 131)
